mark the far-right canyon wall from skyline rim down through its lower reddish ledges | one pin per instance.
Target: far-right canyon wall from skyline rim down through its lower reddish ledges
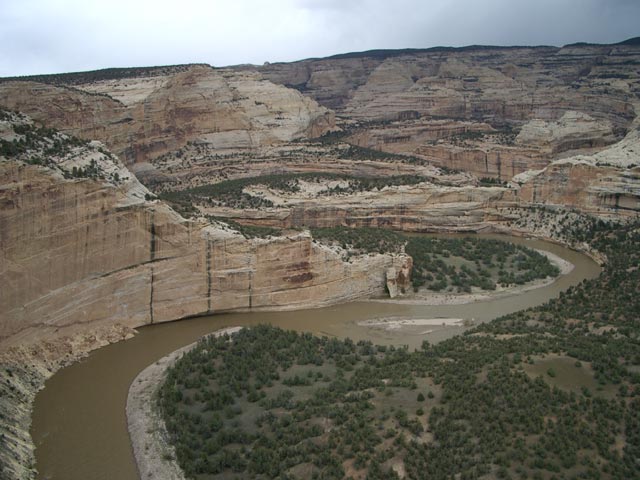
(564, 99)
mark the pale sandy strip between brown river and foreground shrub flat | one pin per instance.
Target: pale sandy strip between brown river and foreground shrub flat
(155, 457)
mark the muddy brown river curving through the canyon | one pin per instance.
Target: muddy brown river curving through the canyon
(79, 425)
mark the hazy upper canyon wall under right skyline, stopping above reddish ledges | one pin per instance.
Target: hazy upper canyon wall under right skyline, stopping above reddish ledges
(496, 84)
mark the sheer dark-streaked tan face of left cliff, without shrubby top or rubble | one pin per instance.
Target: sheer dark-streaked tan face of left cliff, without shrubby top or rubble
(74, 258)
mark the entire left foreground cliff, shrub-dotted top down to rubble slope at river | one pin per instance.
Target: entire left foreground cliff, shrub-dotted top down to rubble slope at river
(86, 256)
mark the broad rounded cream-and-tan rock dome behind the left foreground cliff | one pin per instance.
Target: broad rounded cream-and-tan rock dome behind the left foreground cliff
(142, 118)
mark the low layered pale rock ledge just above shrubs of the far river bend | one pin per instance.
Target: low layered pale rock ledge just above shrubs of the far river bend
(421, 208)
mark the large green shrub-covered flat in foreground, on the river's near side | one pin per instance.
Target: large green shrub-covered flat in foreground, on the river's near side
(547, 393)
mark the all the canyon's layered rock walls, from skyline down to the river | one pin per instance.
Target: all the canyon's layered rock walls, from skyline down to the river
(493, 134)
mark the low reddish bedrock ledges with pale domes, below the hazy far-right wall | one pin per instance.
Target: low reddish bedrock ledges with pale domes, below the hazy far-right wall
(480, 149)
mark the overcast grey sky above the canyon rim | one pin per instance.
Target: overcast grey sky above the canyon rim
(53, 36)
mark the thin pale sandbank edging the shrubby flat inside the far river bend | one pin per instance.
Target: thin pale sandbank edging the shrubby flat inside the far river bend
(425, 297)
